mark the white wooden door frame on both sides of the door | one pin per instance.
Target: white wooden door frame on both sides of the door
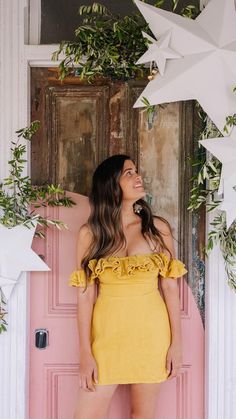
(220, 300)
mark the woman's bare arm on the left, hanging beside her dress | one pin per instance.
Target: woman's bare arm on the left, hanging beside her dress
(86, 300)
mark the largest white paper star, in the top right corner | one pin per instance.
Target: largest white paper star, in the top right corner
(207, 70)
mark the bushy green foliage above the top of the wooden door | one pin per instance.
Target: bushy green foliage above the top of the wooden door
(108, 45)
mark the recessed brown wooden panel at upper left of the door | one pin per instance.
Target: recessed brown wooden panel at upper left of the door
(77, 121)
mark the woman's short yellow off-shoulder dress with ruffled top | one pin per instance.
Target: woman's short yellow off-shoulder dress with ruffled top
(130, 331)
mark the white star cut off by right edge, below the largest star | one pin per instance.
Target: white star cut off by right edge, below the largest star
(224, 149)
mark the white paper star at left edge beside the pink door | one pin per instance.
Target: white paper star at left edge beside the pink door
(17, 256)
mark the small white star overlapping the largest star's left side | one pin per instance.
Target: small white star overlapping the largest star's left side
(158, 51)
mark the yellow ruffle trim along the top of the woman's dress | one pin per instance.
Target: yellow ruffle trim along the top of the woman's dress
(127, 265)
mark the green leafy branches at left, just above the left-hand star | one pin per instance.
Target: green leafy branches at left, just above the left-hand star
(19, 199)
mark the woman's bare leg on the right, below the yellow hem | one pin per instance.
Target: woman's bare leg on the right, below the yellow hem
(143, 400)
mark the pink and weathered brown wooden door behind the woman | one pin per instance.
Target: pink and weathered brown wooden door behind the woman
(81, 125)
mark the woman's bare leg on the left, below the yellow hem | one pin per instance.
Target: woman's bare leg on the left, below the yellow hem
(94, 404)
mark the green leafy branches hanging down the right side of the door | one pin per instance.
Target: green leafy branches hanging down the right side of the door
(205, 184)
